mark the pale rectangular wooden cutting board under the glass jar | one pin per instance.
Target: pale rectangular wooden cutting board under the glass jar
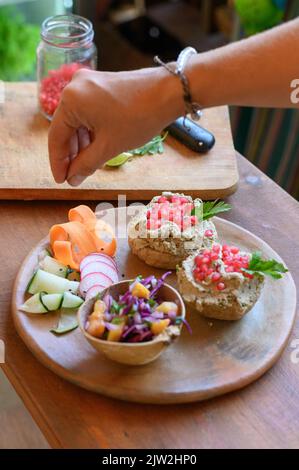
(25, 171)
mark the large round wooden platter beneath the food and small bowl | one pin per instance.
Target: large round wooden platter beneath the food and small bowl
(217, 358)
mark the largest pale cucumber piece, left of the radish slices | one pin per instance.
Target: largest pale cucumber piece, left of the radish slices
(43, 281)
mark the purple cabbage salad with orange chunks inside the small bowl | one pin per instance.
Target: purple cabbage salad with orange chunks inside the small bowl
(140, 314)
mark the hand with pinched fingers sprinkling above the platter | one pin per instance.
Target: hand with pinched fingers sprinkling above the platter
(102, 114)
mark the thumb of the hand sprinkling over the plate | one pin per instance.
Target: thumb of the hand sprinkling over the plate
(85, 163)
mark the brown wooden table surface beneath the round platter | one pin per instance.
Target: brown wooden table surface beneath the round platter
(265, 414)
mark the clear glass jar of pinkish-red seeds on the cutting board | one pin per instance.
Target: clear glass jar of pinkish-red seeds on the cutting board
(66, 46)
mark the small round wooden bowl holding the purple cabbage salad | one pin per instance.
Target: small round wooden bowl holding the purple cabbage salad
(133, 353)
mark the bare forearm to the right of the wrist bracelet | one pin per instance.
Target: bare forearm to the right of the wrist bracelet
(253, 72)
